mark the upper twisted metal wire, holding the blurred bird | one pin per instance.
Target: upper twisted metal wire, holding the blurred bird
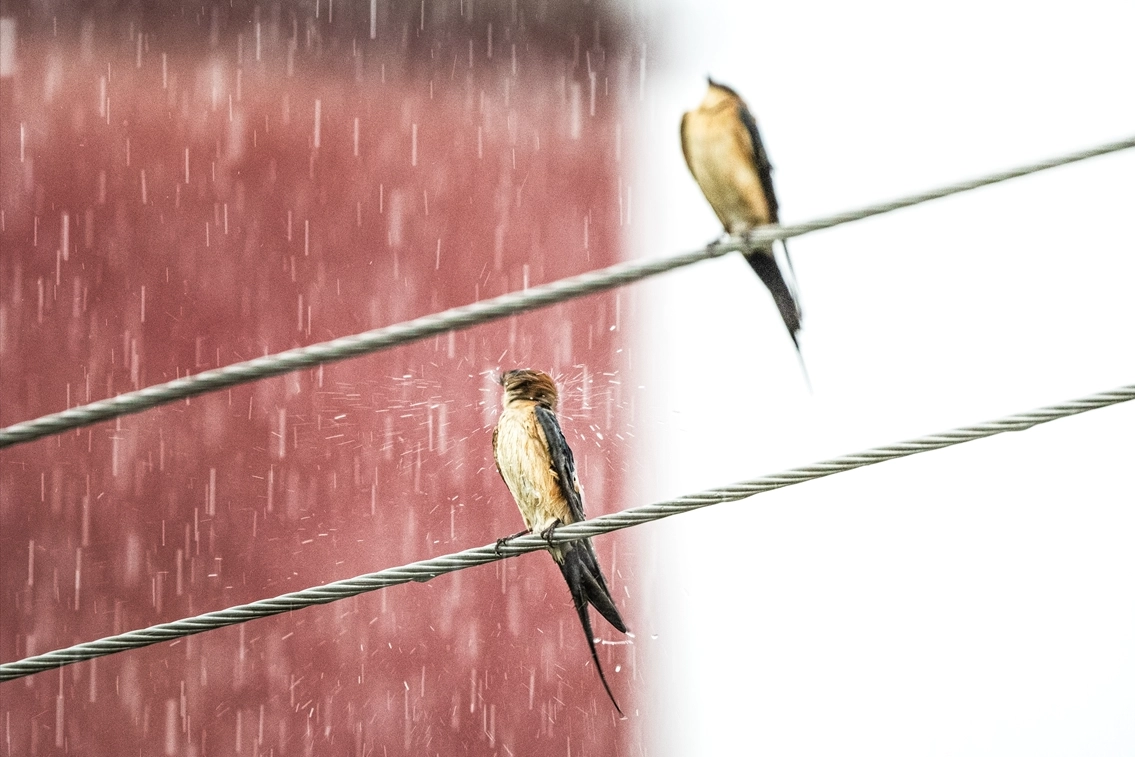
(481, 313)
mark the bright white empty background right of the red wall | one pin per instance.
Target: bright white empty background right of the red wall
(977, 601)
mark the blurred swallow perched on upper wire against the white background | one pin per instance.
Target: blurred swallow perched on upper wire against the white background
(725, 153)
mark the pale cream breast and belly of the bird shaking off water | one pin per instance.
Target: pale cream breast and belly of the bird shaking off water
(523, 456)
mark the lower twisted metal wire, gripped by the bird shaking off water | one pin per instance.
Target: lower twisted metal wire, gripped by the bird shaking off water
(428, 569)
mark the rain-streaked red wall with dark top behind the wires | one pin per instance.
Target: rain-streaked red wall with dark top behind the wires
(273, 241)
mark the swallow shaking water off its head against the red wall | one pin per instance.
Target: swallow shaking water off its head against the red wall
(536, 464)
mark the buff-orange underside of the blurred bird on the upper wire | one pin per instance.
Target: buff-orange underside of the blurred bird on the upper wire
(720, 155)
